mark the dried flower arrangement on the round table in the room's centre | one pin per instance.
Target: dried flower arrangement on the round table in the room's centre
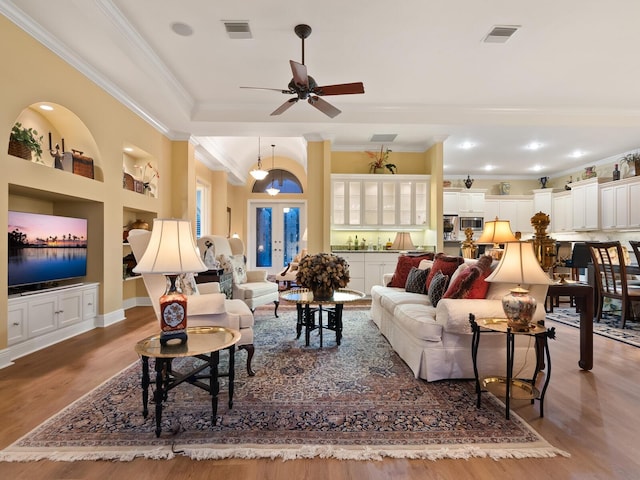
(323, 271)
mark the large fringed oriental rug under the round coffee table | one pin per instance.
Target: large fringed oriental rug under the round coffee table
(354, 401)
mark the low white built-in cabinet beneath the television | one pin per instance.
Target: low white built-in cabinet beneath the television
(51, 313)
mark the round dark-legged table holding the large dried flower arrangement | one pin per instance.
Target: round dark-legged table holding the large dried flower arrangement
(303, 298)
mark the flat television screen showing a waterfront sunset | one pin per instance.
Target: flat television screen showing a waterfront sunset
(46, 248)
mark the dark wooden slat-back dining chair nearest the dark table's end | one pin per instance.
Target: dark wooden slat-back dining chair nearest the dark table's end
(611, 277)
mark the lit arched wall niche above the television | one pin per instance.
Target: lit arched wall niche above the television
(64, 128)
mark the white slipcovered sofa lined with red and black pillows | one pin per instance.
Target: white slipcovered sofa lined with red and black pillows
(435, 342)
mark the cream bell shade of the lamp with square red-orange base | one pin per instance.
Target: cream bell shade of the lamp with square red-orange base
(171, 249)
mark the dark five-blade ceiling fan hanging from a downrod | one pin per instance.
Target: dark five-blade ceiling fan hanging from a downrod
(305, 87)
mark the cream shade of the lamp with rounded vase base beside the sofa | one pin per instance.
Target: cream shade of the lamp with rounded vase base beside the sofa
(520, 266)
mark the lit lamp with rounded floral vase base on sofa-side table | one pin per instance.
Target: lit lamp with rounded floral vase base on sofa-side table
(519, 265)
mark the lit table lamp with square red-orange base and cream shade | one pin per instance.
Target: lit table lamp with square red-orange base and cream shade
(171, 251)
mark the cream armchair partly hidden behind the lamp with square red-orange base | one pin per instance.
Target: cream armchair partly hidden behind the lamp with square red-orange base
(206, 305)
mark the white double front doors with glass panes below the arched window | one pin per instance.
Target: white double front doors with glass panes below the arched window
(275, 233)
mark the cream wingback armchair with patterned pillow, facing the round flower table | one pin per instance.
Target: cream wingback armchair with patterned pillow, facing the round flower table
(250, 286)
